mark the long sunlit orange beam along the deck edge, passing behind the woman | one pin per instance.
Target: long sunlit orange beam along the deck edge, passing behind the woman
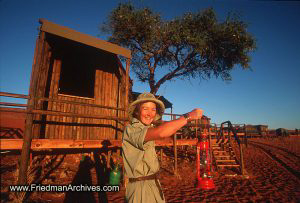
(39, 144)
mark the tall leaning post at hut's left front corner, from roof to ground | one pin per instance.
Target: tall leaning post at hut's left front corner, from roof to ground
(25, 154)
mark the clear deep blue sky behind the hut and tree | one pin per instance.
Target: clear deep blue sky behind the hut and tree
(268, 94)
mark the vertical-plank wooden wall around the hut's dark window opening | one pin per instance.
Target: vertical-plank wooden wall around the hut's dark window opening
(109, 91)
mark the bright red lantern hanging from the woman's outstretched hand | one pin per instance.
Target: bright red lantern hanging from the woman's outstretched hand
(204, 165)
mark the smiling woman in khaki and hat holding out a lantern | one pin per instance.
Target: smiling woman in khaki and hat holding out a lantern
(139, 156)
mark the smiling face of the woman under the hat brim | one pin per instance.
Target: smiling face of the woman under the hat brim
(147, 112)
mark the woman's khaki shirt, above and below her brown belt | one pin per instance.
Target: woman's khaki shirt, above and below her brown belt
(139, 159)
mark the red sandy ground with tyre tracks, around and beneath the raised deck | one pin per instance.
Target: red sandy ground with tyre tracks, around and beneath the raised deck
(268, 180)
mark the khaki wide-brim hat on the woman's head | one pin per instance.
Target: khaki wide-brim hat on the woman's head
(147, 97)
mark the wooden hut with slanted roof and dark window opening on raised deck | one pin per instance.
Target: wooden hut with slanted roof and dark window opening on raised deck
(78, 75)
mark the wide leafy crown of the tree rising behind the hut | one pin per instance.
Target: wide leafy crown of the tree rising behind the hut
(194, 45)
